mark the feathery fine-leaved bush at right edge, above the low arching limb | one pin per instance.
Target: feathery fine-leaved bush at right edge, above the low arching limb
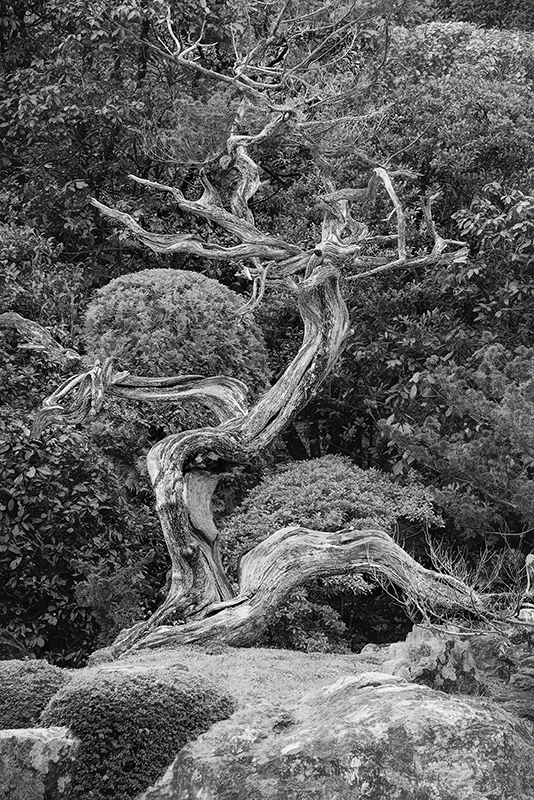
(476, 437)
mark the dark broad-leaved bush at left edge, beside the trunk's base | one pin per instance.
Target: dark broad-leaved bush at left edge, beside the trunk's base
(64, 522)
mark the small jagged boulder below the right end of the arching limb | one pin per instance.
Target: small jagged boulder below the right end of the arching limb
(440, 660)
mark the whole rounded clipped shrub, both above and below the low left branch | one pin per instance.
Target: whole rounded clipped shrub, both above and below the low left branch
(163, 322)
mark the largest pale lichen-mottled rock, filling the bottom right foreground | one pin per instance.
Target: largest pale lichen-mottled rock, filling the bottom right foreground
(369, 737)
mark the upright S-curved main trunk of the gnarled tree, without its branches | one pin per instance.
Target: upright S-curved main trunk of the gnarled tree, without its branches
(184, 467)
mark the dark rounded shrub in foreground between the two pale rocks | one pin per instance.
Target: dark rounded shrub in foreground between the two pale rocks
(131, 724)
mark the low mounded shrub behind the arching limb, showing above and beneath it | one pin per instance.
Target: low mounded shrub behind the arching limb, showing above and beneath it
(325, 494)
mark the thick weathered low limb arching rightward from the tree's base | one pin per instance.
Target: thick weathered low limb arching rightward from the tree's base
(290, 557)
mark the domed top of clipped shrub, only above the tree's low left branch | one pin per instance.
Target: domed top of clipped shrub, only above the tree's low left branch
(162, 322)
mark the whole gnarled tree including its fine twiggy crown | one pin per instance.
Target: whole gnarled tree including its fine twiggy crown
(289, 82)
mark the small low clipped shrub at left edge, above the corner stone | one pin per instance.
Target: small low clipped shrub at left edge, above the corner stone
(26, 688)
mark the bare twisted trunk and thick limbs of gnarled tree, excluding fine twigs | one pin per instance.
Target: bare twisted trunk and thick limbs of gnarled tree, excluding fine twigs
(201, 604)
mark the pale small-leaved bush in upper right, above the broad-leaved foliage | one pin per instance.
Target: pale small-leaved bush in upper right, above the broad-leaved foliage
(461, 107)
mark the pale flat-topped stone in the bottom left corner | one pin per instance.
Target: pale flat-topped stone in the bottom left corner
(34, 763)
